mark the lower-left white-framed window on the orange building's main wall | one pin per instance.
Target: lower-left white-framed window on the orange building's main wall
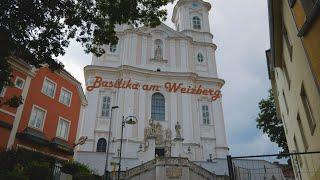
(37, 118)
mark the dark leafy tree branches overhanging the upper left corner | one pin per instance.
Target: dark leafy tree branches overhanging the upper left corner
(39, 31)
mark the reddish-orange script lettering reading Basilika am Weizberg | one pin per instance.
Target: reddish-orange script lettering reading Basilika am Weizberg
(171, 87)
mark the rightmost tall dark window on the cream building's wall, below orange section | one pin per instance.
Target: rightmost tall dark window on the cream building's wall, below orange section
(308, 110)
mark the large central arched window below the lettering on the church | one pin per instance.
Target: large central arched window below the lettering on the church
(158, 107)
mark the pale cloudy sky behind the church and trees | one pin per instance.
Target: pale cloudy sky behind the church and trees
(241, 32)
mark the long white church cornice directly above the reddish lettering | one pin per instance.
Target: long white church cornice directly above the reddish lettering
(127, 68)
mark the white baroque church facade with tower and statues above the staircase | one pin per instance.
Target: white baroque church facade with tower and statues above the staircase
(167, 79)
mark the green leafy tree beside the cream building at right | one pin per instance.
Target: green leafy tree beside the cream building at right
(269, 123)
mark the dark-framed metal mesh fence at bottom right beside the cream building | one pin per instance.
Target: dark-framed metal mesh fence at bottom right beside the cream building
(300, 166)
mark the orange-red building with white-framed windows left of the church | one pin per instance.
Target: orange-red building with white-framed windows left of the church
(48, 119)
